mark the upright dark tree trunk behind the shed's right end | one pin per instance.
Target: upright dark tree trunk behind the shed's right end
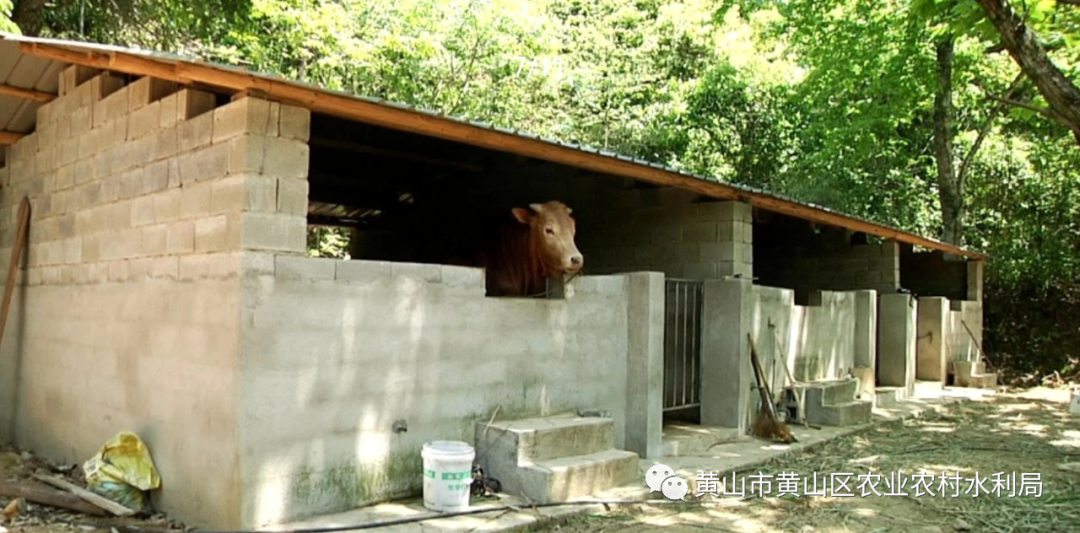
(949, 186)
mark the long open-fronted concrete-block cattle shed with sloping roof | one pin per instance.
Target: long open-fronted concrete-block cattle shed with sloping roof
(167, 289)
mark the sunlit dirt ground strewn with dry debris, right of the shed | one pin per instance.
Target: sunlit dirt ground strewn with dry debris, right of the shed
(1010, 433)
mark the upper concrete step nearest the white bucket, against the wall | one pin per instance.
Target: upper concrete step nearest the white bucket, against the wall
(546, 439)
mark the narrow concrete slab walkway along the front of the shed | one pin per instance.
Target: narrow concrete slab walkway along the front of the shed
(722, 459)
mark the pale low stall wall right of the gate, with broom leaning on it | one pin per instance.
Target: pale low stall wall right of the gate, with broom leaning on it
(816, 341)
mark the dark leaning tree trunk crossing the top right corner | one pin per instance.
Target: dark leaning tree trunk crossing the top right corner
(1060, 92)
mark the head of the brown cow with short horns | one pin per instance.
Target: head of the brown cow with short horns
(551, 231)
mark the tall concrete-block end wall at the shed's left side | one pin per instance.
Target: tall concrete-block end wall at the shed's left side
(145, 197)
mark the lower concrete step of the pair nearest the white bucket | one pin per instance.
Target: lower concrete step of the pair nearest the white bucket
(576, 477)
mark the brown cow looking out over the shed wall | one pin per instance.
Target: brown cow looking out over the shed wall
(526, 254)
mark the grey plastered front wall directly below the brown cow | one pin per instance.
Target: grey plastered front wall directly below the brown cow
(335, 352)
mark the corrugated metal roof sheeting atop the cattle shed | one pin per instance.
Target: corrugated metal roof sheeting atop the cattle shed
(28, 72)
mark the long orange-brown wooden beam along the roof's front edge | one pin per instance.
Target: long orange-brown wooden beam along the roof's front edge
(409, 120)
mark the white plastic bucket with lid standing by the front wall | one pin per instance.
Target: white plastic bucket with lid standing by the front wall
(448, 475)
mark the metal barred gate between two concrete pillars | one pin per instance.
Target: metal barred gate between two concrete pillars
(683, 305)
